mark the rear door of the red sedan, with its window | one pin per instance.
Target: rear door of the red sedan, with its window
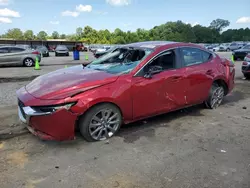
(199, 73)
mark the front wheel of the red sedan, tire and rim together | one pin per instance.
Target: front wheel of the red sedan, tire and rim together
(101, 128)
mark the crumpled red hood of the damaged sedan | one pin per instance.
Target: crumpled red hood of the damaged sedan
(66, 82)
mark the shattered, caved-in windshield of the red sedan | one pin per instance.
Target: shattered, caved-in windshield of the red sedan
(120, 61)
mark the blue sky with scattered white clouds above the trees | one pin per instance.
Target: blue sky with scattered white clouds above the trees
(65, 16)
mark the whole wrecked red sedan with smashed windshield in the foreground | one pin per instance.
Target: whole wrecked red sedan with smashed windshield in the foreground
(134, 82)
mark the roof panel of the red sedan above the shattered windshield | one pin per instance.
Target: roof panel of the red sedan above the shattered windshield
(150, 44)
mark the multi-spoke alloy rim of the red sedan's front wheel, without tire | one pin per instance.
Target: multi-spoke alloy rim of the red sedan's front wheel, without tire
(104, 124)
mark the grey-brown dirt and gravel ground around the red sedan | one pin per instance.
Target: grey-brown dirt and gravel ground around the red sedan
(189, 148)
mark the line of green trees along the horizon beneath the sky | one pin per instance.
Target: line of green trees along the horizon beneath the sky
(170, 31)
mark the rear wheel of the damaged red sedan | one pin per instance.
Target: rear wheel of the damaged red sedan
(216, 96)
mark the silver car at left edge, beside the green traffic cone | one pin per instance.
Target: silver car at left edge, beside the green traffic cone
(10, 55)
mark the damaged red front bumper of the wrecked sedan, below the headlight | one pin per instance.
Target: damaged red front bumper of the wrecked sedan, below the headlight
(58, 125)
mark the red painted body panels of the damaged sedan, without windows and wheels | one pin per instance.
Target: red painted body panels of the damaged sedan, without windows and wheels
(137, 97)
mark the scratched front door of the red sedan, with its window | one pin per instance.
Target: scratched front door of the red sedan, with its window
(160, 92)
